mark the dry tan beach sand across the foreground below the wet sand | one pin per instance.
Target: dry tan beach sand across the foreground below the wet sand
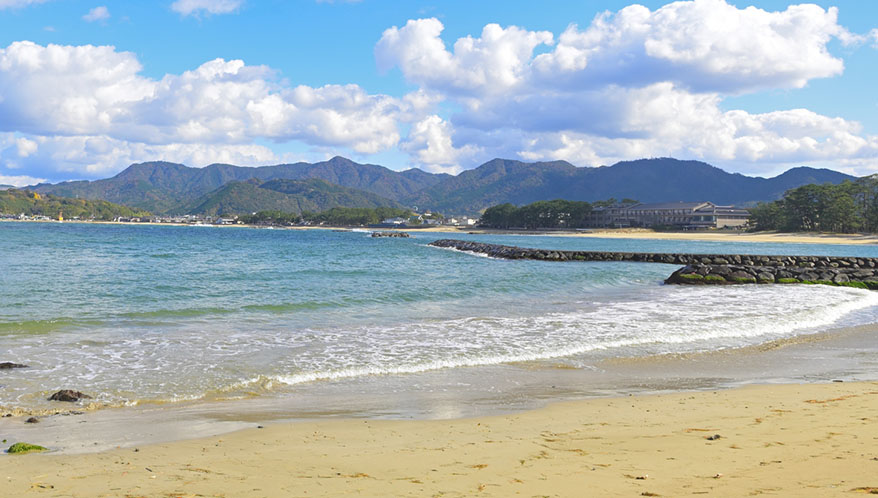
(777, 440)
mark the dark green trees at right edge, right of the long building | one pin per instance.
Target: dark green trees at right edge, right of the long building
(848, 207)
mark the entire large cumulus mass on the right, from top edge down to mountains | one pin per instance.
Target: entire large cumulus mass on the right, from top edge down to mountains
(630, 84)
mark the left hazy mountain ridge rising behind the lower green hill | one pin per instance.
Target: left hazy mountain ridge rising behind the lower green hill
(165, 187)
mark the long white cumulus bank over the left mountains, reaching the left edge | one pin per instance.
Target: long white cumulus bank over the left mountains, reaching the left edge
(80, 92)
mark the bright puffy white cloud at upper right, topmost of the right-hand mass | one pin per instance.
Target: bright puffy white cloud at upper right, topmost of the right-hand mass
(705, 45)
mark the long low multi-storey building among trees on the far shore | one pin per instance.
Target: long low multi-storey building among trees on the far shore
(685, 215)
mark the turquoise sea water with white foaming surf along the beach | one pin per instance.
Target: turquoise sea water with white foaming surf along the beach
(138, 314)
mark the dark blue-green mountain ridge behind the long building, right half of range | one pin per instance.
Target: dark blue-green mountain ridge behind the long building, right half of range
(647, 180)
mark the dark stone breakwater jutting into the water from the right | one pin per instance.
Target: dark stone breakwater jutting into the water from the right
(707, 269)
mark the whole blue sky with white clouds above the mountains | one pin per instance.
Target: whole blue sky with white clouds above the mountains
(89, 87)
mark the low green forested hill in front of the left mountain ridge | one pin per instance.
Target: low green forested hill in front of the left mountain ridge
(291, 196)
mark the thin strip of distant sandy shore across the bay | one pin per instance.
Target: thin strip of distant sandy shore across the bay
(609, 233)
